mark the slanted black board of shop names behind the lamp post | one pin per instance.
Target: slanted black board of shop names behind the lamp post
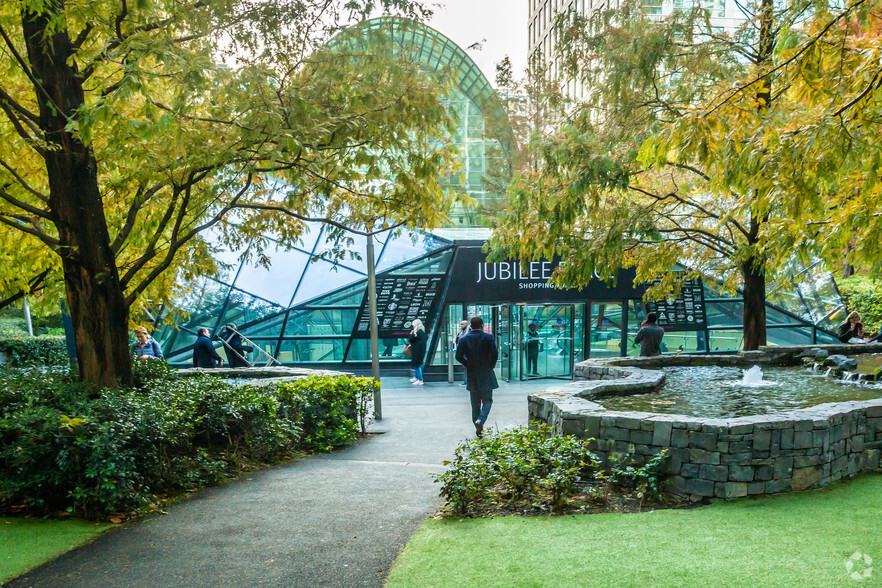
(400, 299)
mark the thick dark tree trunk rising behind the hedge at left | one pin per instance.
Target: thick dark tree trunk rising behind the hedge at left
(94, 296)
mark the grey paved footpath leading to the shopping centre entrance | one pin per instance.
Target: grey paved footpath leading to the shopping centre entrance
(330, 520)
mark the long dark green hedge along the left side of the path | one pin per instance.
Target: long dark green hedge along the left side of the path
(66, 447)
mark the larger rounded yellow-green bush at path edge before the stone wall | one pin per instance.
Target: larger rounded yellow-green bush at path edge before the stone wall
(513, 464)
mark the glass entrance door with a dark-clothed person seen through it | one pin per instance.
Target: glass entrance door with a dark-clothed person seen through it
(547, 345)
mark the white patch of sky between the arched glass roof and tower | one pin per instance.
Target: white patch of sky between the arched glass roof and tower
(503, 23)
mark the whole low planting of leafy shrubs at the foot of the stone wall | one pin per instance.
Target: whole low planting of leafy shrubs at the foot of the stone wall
(532, 471)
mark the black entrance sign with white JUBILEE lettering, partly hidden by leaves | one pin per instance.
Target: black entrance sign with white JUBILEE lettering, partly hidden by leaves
(476, 280)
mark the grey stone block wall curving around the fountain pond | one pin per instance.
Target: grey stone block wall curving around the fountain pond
(722, 458)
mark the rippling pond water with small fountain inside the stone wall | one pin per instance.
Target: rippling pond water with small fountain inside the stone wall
(721, 392)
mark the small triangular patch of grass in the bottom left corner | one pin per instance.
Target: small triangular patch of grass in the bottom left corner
(26, 543)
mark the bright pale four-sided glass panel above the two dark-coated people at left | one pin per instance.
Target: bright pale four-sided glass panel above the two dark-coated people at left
(277, 282)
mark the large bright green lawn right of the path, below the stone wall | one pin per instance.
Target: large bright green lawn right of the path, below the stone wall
(802, 539)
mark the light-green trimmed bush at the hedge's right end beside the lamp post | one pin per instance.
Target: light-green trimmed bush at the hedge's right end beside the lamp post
(332, 410)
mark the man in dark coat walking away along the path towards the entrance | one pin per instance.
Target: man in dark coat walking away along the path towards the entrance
(478, 353)
